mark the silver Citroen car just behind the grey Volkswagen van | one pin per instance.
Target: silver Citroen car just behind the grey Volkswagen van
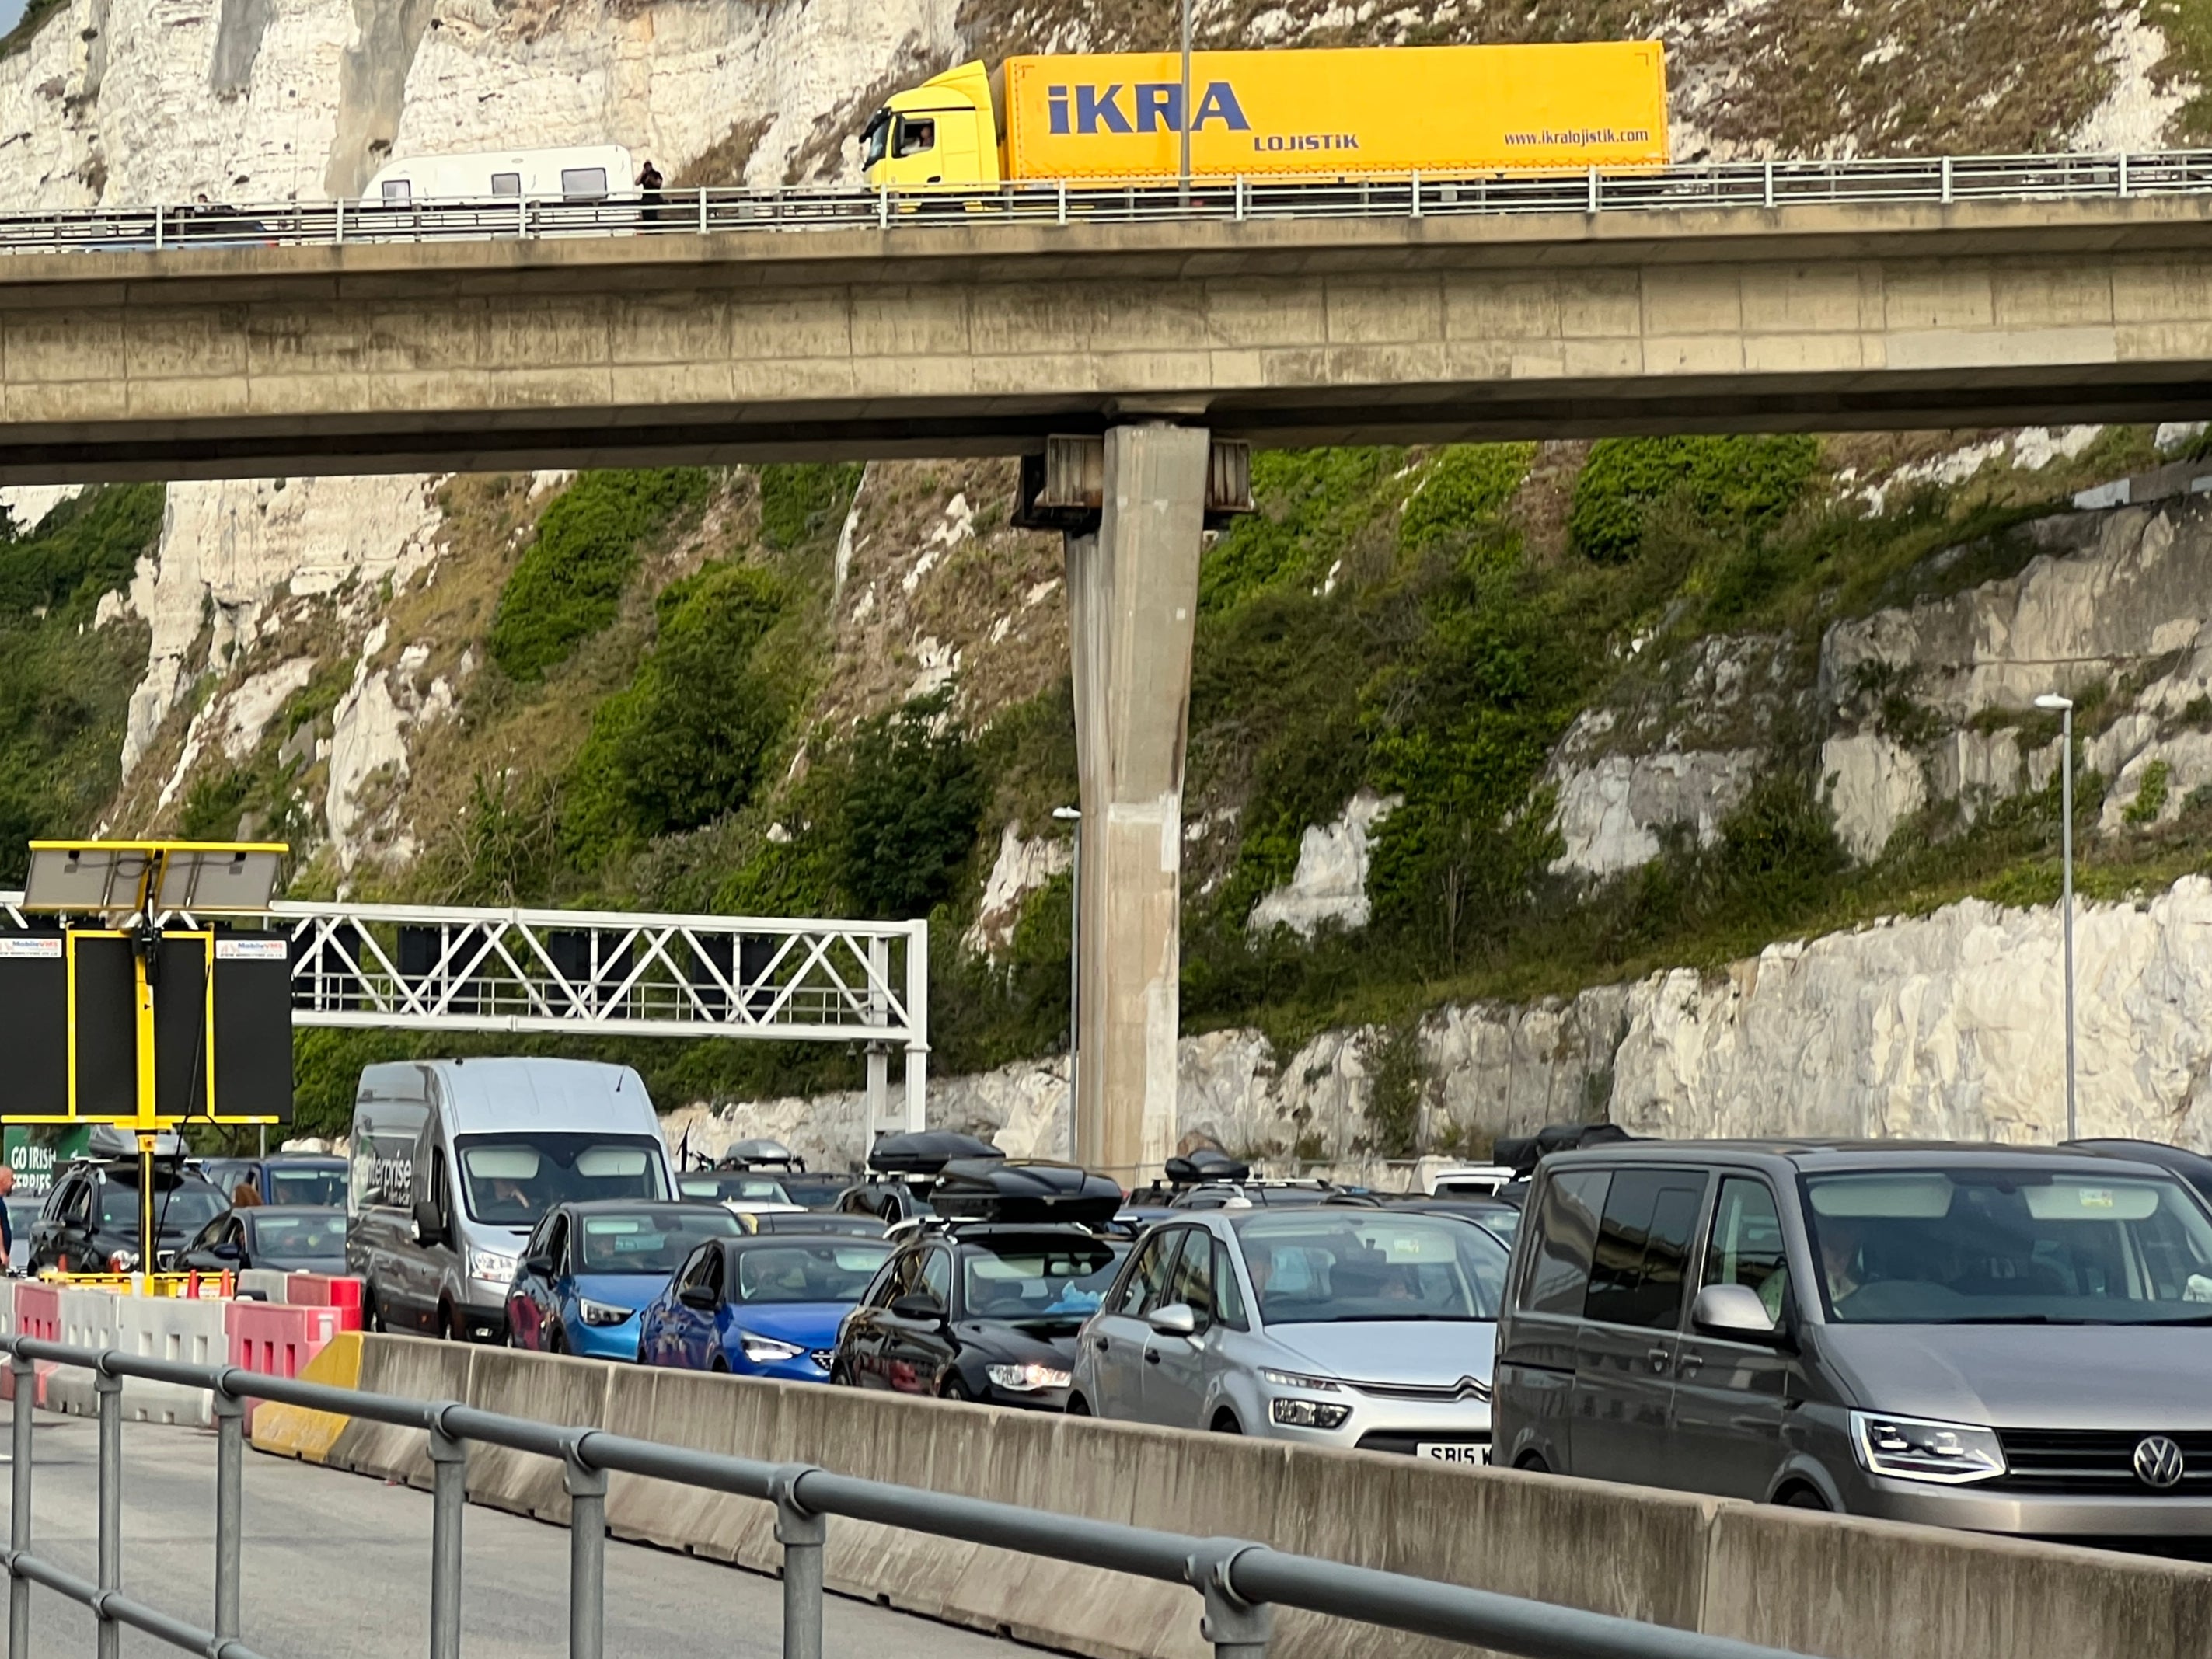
(1328, 1326)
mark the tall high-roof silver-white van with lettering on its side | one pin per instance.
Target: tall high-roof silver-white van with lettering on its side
(457, 1160)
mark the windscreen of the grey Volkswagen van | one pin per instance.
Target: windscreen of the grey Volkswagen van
(2010, 1246)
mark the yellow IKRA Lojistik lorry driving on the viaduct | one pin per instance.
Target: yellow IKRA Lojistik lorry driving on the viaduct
(1277, 116)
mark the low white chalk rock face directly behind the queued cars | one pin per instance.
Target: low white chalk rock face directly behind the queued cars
(1945, 1027)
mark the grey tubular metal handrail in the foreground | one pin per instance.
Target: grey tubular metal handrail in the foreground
(1240, 1583)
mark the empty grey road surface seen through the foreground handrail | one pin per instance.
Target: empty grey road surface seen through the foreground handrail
(337, 1567)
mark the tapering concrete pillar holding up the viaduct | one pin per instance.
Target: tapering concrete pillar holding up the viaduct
(1134, 598)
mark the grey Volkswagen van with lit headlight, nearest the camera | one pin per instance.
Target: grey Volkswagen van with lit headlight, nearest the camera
(2001, 1339)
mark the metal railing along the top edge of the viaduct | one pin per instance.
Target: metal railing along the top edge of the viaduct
(1404, 196)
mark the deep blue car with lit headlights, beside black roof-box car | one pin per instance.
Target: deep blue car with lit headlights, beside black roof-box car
(762, 1306)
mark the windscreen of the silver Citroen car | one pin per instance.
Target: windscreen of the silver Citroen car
(1333, 1266)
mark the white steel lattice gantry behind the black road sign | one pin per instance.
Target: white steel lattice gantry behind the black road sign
(620, 974)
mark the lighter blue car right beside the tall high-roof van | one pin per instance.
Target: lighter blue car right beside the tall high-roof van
(592, 1266)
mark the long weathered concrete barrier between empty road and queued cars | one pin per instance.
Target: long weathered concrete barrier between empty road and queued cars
(1819, 1585)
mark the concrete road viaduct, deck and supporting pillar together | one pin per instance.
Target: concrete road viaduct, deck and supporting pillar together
(990, 337)
